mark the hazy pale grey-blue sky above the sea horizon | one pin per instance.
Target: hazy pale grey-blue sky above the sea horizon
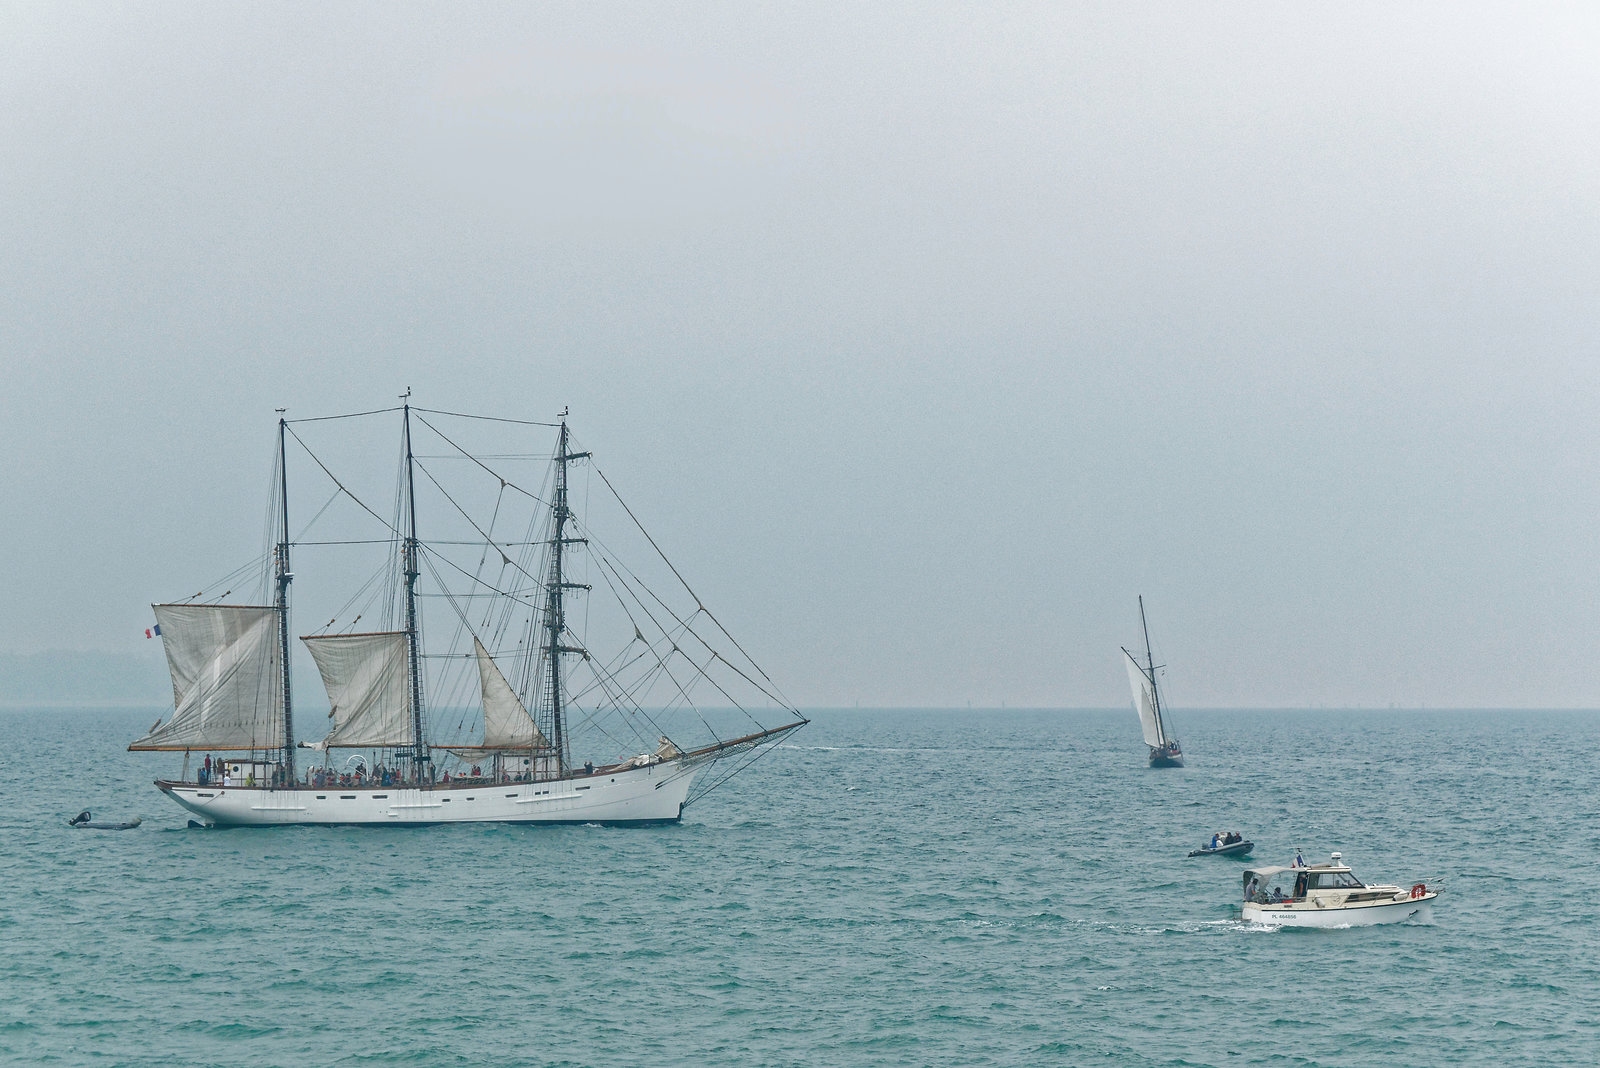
(924, 337)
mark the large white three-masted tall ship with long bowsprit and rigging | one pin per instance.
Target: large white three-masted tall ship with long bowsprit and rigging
(522, 701)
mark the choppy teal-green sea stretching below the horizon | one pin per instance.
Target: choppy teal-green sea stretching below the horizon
(894, 888)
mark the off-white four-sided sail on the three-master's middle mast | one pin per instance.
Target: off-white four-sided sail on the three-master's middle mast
(369, 688)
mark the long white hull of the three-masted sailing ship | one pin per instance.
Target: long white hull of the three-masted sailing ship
(639, 795)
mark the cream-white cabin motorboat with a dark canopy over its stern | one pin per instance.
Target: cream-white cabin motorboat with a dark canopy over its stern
(1330, 896)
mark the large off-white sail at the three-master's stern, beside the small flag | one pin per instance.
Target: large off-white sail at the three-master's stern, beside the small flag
(228, 679)
